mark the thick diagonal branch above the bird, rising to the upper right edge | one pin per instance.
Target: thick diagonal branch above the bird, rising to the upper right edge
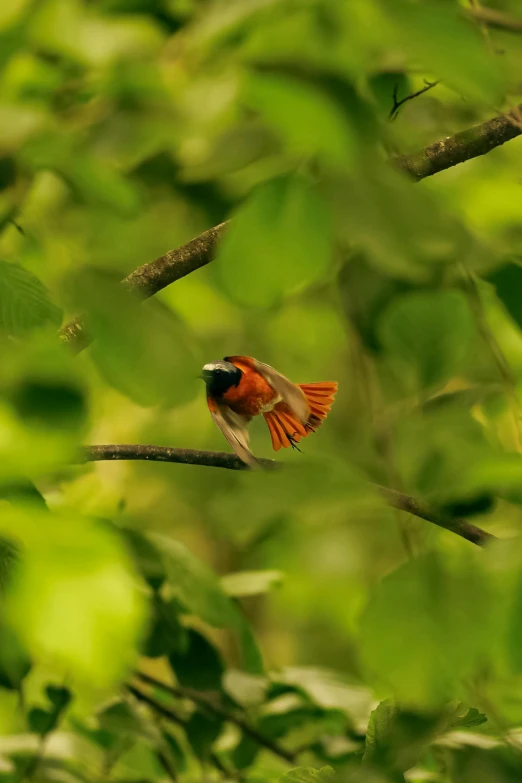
(148, 279)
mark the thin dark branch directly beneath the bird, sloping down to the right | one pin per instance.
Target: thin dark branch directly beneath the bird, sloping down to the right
(222, 459)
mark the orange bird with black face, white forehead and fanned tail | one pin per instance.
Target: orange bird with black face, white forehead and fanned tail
(240, 387)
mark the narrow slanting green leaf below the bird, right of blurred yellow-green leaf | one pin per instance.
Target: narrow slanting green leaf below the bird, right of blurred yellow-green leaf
(194, 584)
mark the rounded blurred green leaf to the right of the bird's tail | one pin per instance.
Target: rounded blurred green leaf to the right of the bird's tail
(428, 336)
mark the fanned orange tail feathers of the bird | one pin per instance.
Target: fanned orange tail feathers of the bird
(286, 429)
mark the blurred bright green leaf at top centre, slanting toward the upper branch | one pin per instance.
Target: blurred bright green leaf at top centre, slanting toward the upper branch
(306, 118)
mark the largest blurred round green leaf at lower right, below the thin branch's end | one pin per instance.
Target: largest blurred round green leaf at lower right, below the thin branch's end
(431, 624)
